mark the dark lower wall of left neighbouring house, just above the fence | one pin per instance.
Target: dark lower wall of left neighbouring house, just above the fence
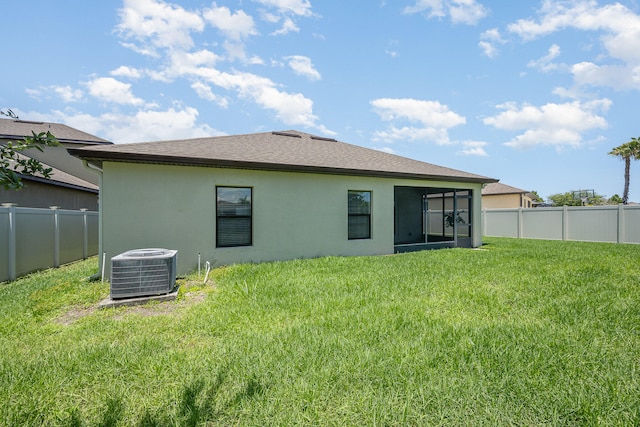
(43, 195)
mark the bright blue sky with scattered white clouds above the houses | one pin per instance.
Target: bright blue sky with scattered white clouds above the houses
(533, 93)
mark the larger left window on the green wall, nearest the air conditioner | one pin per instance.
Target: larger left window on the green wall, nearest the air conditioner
(233, 217)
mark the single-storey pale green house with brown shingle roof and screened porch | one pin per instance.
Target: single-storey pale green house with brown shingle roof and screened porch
(276, 196)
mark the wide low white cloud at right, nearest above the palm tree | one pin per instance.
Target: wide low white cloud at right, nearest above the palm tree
(558, 125)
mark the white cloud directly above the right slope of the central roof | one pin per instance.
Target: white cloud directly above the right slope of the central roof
(433, 120)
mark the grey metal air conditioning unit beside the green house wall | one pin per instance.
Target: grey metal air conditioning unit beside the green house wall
(143, 272)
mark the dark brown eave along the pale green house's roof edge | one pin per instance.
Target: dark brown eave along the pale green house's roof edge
(98, 158)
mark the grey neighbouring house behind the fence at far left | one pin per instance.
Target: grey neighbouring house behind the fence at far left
(71, 186)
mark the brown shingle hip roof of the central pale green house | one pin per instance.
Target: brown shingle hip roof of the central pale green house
(291, 151)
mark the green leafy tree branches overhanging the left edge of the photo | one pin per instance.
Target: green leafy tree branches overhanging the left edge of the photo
(13, 165)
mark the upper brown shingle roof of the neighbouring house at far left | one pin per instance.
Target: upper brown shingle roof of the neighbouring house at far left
(18, 129)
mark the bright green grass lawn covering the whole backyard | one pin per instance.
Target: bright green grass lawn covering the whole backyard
(521, 332)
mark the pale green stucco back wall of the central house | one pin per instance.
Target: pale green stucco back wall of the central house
(294, 215)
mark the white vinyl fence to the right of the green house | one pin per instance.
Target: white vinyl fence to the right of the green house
(617, 224)
